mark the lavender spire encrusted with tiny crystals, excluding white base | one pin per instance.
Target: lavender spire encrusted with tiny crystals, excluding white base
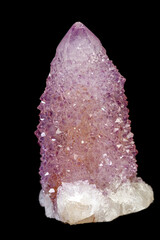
(84, 130)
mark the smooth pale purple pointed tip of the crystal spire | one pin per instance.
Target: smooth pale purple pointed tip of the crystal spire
(79, 44)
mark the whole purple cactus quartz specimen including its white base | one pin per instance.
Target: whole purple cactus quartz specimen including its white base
(88, 166)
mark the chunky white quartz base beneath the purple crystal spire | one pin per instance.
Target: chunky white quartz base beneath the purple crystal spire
(81, 202)
